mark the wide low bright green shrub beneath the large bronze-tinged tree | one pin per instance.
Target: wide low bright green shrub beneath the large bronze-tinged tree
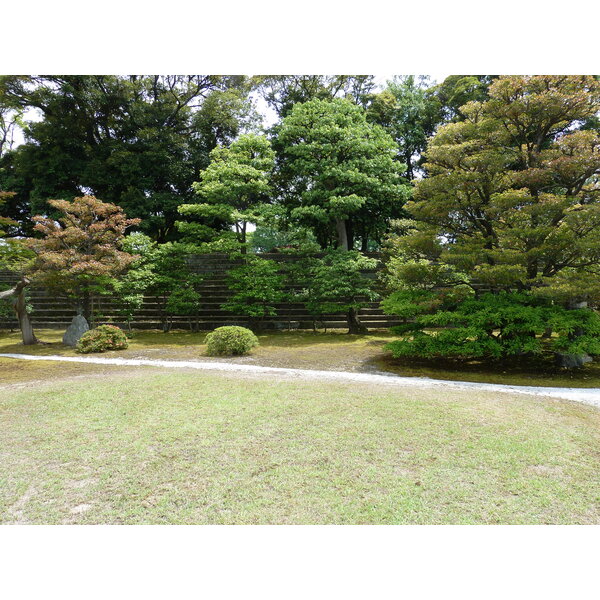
(492, 326)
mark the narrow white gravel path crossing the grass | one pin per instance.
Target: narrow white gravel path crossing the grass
(586, 395)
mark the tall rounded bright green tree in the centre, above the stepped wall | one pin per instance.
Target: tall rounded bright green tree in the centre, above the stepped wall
(343, 171)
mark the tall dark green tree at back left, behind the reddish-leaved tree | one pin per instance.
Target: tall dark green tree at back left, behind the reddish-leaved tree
(138, 141)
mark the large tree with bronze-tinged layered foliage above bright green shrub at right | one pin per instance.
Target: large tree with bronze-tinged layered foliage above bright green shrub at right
(512, 198)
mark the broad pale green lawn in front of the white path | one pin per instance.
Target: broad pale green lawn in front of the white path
(149, 446)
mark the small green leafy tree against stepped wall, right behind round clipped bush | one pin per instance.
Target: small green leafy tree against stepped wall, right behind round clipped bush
(257, 287)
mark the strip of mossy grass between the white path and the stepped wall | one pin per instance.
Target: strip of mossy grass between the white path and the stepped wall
(330, 351)
